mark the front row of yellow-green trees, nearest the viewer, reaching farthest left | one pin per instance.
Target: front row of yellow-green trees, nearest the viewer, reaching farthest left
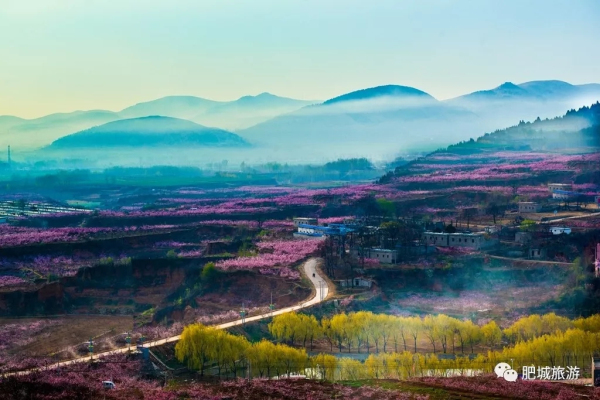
(203, 348)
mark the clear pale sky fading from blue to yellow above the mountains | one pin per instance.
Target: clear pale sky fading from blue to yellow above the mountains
(65, 55)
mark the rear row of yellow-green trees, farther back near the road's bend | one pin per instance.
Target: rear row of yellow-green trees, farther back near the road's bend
(367, 331)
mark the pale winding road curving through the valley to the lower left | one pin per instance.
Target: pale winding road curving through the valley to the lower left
(310, 269)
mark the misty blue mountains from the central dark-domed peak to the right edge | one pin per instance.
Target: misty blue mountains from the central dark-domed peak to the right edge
(372, 122)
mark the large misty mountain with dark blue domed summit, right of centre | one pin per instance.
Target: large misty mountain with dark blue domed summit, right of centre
(366, 122)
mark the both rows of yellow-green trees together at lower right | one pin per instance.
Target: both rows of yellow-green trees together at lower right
(539, 340)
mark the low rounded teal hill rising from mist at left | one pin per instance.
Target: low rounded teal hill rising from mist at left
(153, 131)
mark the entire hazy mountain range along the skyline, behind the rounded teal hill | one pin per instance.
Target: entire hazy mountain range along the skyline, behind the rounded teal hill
(371, 122)
